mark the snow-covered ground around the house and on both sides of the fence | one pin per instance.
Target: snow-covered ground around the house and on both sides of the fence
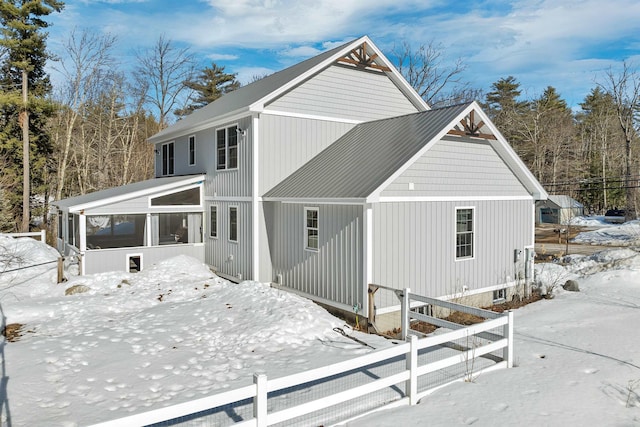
(135, 342)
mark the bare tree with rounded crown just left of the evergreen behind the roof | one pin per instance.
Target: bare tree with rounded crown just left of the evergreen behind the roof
(161, 75)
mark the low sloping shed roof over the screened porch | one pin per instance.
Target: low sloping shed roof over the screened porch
(124, 192)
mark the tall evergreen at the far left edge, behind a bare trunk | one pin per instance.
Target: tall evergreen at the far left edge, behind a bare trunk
(23, 108)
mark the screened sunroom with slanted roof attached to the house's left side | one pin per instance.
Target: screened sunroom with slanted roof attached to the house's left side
(128, 227)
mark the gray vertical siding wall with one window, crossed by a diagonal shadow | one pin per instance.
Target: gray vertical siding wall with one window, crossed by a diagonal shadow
(334, 272)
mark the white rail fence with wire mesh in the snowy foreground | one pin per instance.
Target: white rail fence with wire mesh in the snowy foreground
(398, 375)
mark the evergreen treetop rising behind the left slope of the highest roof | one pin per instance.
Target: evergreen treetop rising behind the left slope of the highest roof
(209, 85)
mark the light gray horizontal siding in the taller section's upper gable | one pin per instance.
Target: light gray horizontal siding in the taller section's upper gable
(346, 92)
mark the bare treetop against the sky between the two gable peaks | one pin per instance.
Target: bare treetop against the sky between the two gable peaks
(427, 72)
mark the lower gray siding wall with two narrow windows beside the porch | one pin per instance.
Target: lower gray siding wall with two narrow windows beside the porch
(230, 258)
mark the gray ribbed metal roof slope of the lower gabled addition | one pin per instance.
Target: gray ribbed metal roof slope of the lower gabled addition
(360, 161)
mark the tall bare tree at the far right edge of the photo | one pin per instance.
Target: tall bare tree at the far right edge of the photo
(624, 88)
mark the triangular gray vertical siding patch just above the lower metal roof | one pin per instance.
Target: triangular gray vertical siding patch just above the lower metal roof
(286, 143)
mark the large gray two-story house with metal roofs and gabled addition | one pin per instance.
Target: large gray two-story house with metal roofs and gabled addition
(331, 175)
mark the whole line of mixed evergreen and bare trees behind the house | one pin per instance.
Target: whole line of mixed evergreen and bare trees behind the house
(89, 131)
